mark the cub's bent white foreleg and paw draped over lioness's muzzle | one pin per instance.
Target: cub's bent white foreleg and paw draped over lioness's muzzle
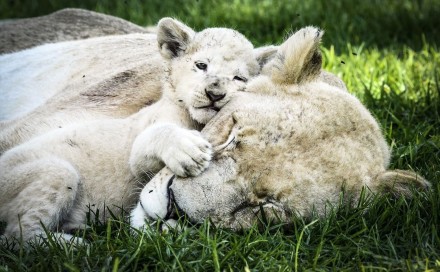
(184, 151)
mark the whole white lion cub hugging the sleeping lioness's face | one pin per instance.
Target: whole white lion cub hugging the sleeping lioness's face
(53, 178)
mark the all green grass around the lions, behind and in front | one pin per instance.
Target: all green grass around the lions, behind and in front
(387, 53)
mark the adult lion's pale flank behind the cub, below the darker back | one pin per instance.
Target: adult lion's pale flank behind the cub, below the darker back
(104, 77)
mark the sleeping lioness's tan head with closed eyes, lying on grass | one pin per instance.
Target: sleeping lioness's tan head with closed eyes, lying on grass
(292, 147)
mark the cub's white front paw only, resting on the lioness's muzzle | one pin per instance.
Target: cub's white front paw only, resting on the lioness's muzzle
(186, 153)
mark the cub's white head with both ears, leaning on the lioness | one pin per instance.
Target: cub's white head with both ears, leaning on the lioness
(207, 67)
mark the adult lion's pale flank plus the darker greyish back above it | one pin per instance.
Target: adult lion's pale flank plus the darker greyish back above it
(112, 76)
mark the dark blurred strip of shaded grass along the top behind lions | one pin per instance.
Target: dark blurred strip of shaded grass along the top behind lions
(373, 23)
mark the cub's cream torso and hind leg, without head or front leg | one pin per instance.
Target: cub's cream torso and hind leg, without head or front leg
(95, 155)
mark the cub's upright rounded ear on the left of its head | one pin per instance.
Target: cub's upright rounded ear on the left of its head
(173, 37)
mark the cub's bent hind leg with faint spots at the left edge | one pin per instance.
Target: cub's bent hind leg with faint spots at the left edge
(35, 191)
